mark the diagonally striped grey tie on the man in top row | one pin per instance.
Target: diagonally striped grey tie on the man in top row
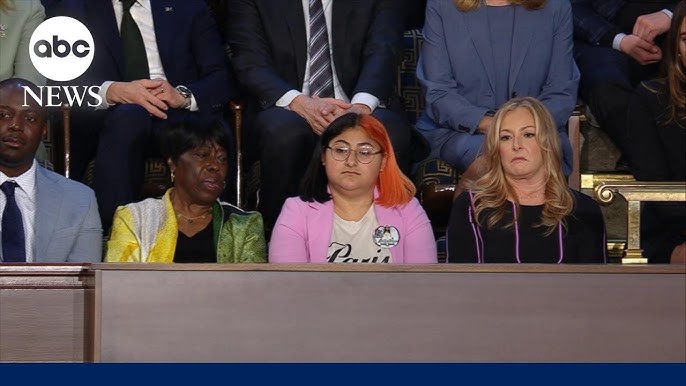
(321, 77)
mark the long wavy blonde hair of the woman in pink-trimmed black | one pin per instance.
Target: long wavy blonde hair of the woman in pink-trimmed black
(492, 189)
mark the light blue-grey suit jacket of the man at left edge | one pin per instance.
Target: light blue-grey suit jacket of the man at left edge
(67, 223)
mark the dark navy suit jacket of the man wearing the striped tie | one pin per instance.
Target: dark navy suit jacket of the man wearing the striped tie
(269, 45)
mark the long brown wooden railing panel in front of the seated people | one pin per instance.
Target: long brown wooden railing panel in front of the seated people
(342, 313)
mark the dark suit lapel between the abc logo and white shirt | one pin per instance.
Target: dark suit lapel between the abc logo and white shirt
(104, 25)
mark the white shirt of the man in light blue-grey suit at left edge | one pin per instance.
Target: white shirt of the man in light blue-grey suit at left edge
(25, 195)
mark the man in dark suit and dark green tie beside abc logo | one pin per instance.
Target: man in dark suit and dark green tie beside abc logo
(186, 74)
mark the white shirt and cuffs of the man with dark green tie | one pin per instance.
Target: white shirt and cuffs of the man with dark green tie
(141, 12)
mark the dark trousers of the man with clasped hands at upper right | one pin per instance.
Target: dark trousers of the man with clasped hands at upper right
(608, 78)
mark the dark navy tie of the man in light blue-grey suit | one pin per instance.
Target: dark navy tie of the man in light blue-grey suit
(13, 240)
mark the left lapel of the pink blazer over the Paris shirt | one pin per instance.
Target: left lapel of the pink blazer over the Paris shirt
(319, 227)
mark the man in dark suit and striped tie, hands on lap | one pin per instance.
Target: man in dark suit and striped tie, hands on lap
(270, 39)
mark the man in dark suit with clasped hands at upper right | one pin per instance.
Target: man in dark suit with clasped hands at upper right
(616, 46)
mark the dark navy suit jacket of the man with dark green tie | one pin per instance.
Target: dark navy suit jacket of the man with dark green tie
(187, 38)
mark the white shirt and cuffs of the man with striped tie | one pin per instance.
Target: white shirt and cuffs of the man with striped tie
(364, 98)
